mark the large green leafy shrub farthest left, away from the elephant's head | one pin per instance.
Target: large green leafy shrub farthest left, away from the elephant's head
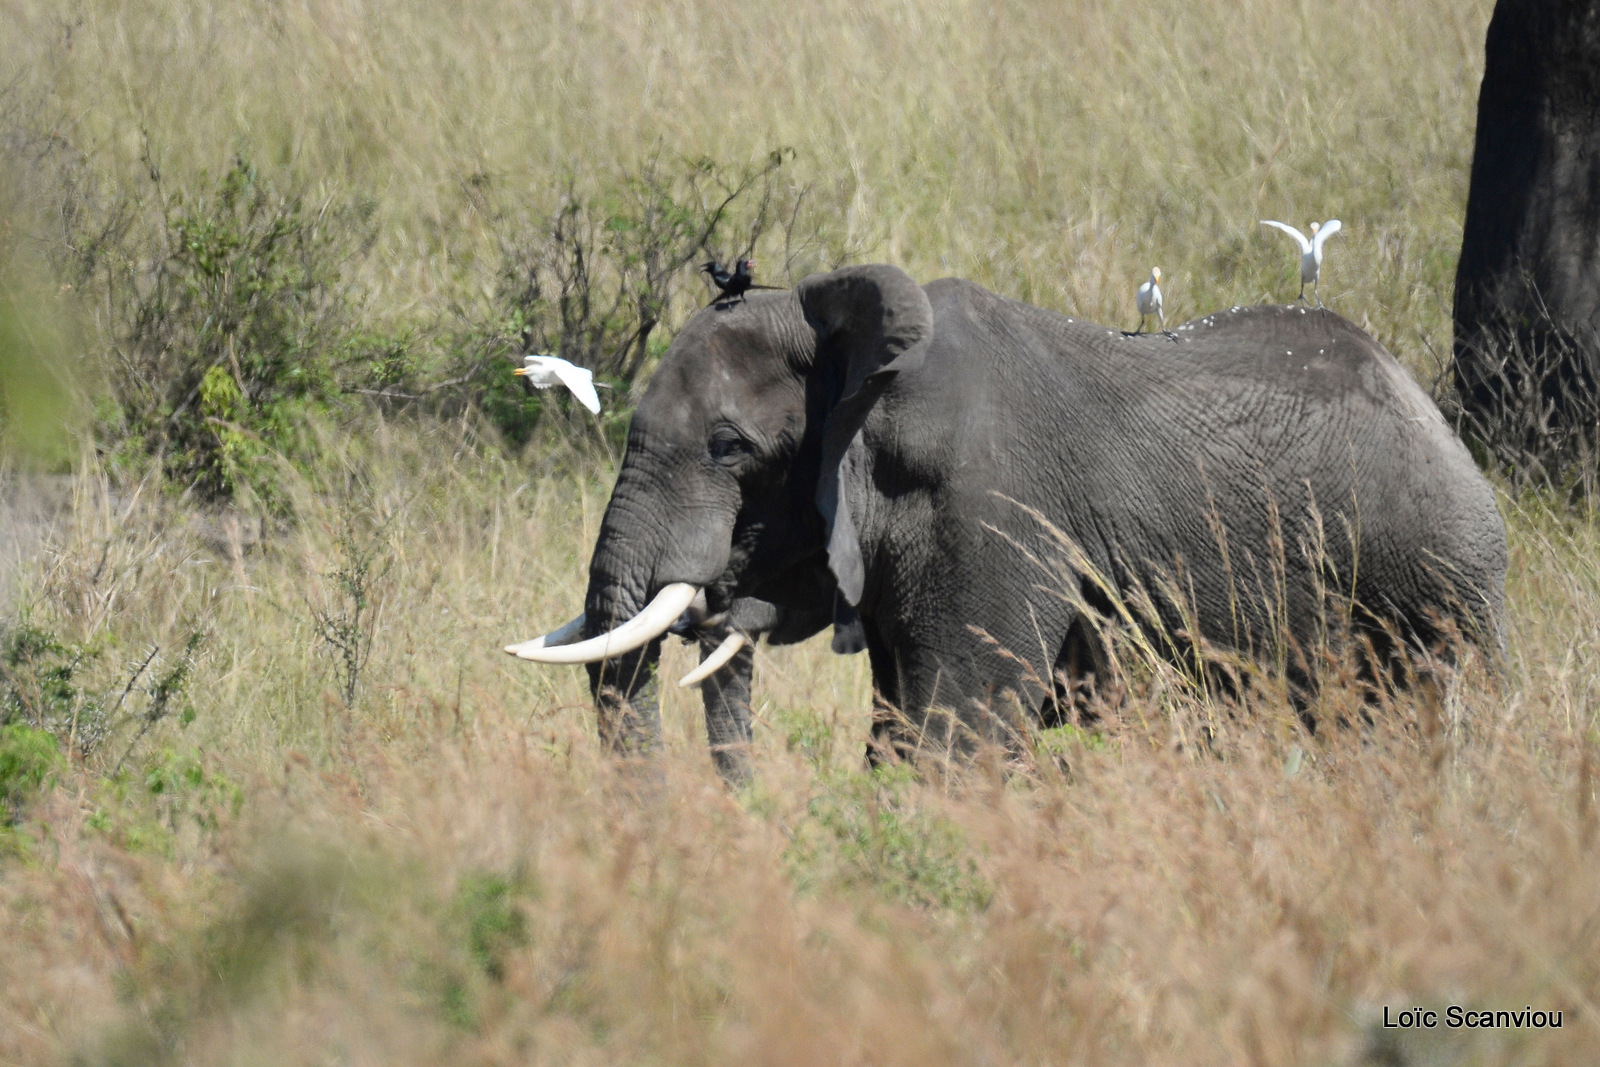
(233, 329)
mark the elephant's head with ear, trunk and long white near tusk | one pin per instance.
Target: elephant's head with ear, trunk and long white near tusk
(729, 490)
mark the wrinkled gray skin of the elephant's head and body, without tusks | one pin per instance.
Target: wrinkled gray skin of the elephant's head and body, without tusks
(897, 434)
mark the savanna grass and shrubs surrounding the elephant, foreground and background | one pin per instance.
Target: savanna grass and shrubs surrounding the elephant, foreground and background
(270, 793)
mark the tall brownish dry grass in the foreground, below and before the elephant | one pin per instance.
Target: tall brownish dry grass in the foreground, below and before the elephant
(450, 871)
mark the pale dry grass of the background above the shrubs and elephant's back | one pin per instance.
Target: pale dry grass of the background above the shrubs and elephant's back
(1054, 153)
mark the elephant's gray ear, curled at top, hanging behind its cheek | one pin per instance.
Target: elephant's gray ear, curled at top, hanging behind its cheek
(871, 324)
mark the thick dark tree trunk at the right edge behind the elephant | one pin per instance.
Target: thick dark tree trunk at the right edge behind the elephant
(1527, 302)
